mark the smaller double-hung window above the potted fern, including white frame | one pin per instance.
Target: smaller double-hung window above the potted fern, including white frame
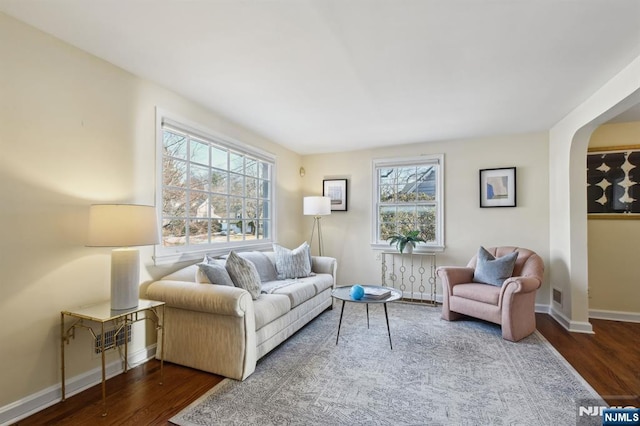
(408, 196)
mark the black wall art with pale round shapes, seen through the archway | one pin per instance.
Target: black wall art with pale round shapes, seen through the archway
(613, 182)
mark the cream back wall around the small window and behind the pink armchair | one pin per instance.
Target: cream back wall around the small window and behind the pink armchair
(347, 235)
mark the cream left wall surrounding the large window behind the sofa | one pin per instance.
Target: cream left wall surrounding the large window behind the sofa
(75, 130)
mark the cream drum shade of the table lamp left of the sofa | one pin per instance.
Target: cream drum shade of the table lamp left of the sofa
(122, 225)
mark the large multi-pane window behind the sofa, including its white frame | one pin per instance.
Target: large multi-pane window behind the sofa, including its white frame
(215, 194)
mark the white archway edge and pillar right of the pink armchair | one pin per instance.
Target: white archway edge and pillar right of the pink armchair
(568, 142)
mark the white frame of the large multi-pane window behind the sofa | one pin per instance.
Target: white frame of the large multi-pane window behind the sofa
(168, 255)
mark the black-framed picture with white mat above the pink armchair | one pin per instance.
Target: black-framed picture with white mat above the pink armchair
(498, 187)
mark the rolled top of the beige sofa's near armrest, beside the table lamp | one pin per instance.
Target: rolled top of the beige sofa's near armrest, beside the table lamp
(208, 298)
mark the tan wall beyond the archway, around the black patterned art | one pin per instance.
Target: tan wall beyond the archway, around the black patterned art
(613, 244)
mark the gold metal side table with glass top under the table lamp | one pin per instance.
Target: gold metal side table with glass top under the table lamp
(121, 319)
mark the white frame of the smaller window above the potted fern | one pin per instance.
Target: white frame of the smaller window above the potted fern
(435, 246)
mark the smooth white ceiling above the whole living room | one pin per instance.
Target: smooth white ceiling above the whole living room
(335, 75)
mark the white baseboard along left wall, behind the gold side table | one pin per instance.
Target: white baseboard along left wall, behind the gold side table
(47, 397)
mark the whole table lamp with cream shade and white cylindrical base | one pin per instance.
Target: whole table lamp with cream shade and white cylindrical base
(123, 226)
